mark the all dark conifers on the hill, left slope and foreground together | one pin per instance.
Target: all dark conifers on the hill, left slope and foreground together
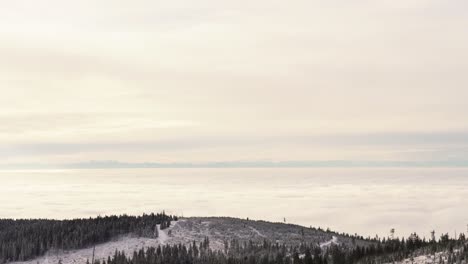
(26, 239)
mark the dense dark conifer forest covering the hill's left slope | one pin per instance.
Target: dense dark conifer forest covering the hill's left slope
(25, 239)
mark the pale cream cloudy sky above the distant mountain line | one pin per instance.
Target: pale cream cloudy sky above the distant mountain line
(258, 82)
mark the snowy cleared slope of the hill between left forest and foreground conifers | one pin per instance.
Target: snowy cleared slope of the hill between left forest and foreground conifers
(219, 230)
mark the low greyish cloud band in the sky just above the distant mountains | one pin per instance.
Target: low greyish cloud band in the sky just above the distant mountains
(352, 150)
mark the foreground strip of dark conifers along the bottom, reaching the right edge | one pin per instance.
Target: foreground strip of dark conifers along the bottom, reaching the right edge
(236, 252)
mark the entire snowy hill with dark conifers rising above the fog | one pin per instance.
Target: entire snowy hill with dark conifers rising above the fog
(222, 240)
